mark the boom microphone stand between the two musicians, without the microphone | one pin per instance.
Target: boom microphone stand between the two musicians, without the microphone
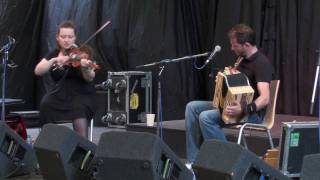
(161, 65)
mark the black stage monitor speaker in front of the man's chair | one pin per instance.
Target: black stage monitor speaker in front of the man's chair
(225, 161)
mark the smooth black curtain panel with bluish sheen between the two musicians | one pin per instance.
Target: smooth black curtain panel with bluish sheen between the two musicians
(140, 32)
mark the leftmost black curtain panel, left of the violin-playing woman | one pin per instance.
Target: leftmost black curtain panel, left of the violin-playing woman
(21, 20)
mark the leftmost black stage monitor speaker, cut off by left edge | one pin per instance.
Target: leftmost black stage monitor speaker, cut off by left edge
(16, 156)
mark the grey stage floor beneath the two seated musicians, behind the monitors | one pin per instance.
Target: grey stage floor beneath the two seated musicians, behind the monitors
(174, 136)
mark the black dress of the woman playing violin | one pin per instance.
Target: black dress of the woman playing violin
(70, 98)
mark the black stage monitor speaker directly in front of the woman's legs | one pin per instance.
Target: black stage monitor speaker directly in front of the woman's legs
(63, 154)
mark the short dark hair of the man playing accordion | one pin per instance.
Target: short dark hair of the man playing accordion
(243, 34)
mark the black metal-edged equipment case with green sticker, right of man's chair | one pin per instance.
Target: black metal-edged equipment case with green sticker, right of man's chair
(297, 140)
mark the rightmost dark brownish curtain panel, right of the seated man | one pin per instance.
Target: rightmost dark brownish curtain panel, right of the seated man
(297, 39)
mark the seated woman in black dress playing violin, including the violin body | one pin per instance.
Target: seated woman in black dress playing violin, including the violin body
(71, 98)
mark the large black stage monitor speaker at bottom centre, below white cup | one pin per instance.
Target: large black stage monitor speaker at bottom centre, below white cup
(137, 156)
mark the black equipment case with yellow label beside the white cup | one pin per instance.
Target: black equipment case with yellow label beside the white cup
(129, 97)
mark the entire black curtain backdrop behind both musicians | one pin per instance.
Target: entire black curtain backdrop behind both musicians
(145, 31)
